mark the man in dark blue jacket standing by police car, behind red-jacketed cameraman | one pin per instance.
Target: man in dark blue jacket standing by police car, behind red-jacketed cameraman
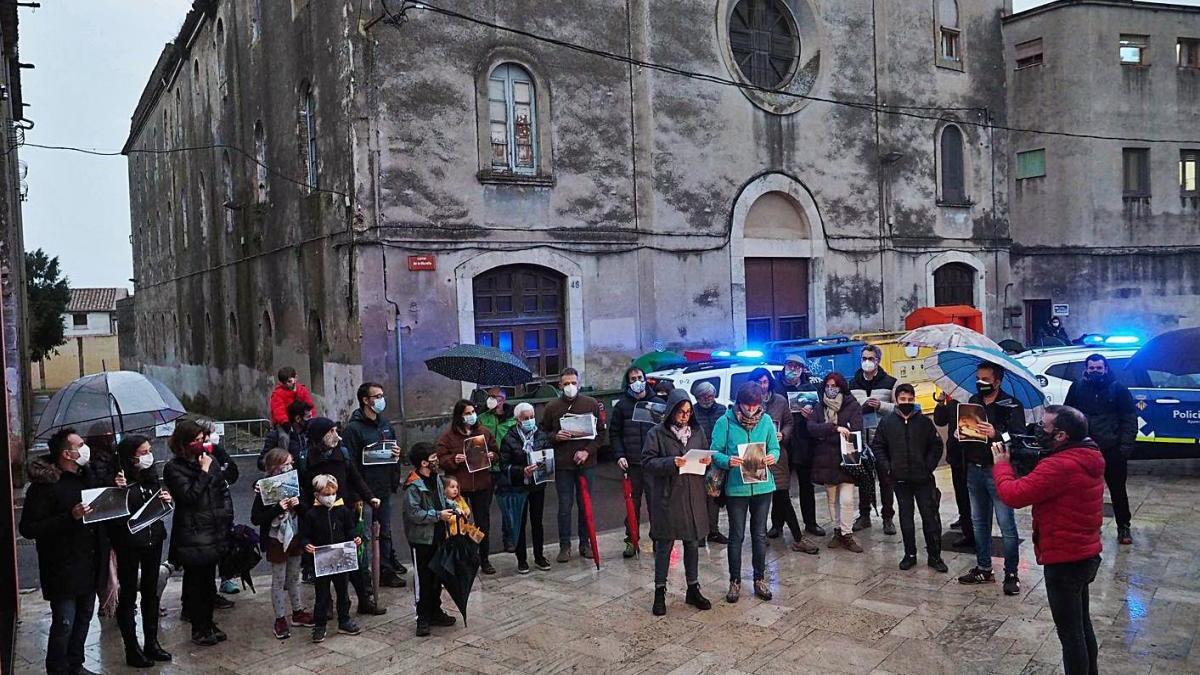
(1113, 425)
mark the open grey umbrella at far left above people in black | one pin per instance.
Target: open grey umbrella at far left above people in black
(110, 403)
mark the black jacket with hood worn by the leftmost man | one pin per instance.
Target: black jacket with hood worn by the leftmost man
(70, 557)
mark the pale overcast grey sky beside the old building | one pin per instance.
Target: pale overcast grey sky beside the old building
(93, 59)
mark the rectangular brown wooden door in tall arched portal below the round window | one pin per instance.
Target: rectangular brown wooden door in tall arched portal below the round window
(777, 300)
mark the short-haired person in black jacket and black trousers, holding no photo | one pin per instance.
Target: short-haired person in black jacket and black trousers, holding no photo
(908, 449)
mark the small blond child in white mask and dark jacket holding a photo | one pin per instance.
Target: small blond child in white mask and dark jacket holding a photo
(329, 522)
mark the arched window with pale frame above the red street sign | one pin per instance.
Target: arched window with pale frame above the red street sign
(513, 121)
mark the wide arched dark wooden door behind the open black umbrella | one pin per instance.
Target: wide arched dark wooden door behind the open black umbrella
(519, 309)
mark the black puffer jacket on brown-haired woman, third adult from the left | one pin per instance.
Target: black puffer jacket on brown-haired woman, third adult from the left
(203, 516)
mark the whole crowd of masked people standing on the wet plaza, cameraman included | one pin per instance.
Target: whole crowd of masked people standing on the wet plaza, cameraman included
(1085, 445)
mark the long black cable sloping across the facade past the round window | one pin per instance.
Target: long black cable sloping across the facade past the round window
(400, 19)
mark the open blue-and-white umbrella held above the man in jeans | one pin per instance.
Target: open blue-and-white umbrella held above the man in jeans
(955, 373)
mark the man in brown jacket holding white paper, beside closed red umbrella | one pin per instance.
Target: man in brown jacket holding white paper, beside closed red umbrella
(574, 457)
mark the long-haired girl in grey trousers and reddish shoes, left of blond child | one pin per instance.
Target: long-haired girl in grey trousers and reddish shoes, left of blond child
(278, 525)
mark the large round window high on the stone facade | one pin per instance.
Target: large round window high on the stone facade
(765, 43)
